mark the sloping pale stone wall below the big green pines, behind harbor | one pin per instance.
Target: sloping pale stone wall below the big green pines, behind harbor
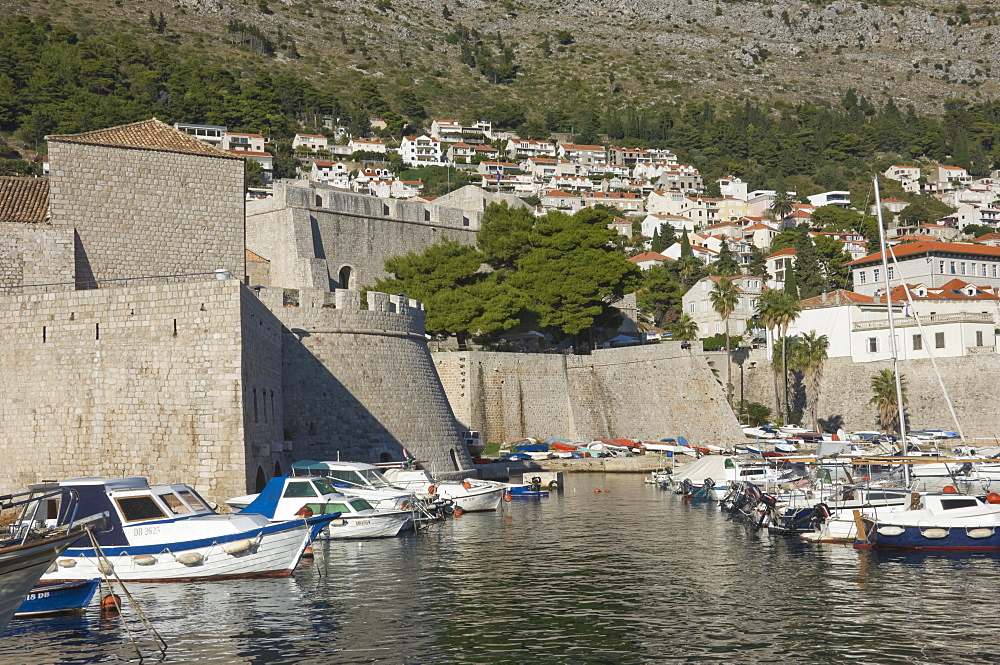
(648, 392)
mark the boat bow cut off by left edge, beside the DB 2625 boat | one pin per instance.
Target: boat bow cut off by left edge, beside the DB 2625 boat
(30, 546)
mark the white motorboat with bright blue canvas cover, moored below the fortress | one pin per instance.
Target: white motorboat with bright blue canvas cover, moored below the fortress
(290, 498)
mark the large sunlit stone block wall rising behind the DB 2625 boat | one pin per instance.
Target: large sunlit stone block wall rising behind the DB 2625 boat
(139, 380)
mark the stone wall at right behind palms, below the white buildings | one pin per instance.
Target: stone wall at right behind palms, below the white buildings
(845, 391)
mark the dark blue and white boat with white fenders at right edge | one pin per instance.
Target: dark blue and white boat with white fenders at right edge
(944, 522)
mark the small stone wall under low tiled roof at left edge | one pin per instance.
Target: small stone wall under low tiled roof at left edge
(35, 254)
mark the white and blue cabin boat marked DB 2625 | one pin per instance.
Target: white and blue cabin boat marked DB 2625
(168, 533)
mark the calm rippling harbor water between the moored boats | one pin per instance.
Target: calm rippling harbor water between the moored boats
(631, 575)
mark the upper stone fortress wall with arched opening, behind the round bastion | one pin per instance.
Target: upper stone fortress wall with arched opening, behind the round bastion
(311, 233)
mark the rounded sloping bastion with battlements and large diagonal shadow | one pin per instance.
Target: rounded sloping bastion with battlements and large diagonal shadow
(360, 383)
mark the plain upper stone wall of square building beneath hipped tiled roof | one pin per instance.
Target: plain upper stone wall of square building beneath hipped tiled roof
(142, 212)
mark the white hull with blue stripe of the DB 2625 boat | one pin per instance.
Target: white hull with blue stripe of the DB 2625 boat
(270, 551)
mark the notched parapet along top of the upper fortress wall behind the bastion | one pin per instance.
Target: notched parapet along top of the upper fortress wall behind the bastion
(323, 197)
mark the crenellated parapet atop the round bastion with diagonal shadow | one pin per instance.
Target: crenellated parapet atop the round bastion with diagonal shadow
(344, 311)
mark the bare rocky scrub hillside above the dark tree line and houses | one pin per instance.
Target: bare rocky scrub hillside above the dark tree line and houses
(639, 51)
